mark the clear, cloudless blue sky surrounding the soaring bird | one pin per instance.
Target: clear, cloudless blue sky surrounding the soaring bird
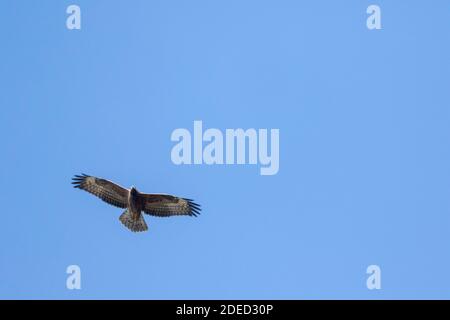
(364, 172)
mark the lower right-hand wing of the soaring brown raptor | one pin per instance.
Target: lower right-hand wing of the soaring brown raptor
(164, 205)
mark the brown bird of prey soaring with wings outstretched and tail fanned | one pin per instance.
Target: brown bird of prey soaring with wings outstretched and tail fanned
(134, 202)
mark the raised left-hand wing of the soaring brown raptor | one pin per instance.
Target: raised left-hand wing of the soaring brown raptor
(104, 189)
